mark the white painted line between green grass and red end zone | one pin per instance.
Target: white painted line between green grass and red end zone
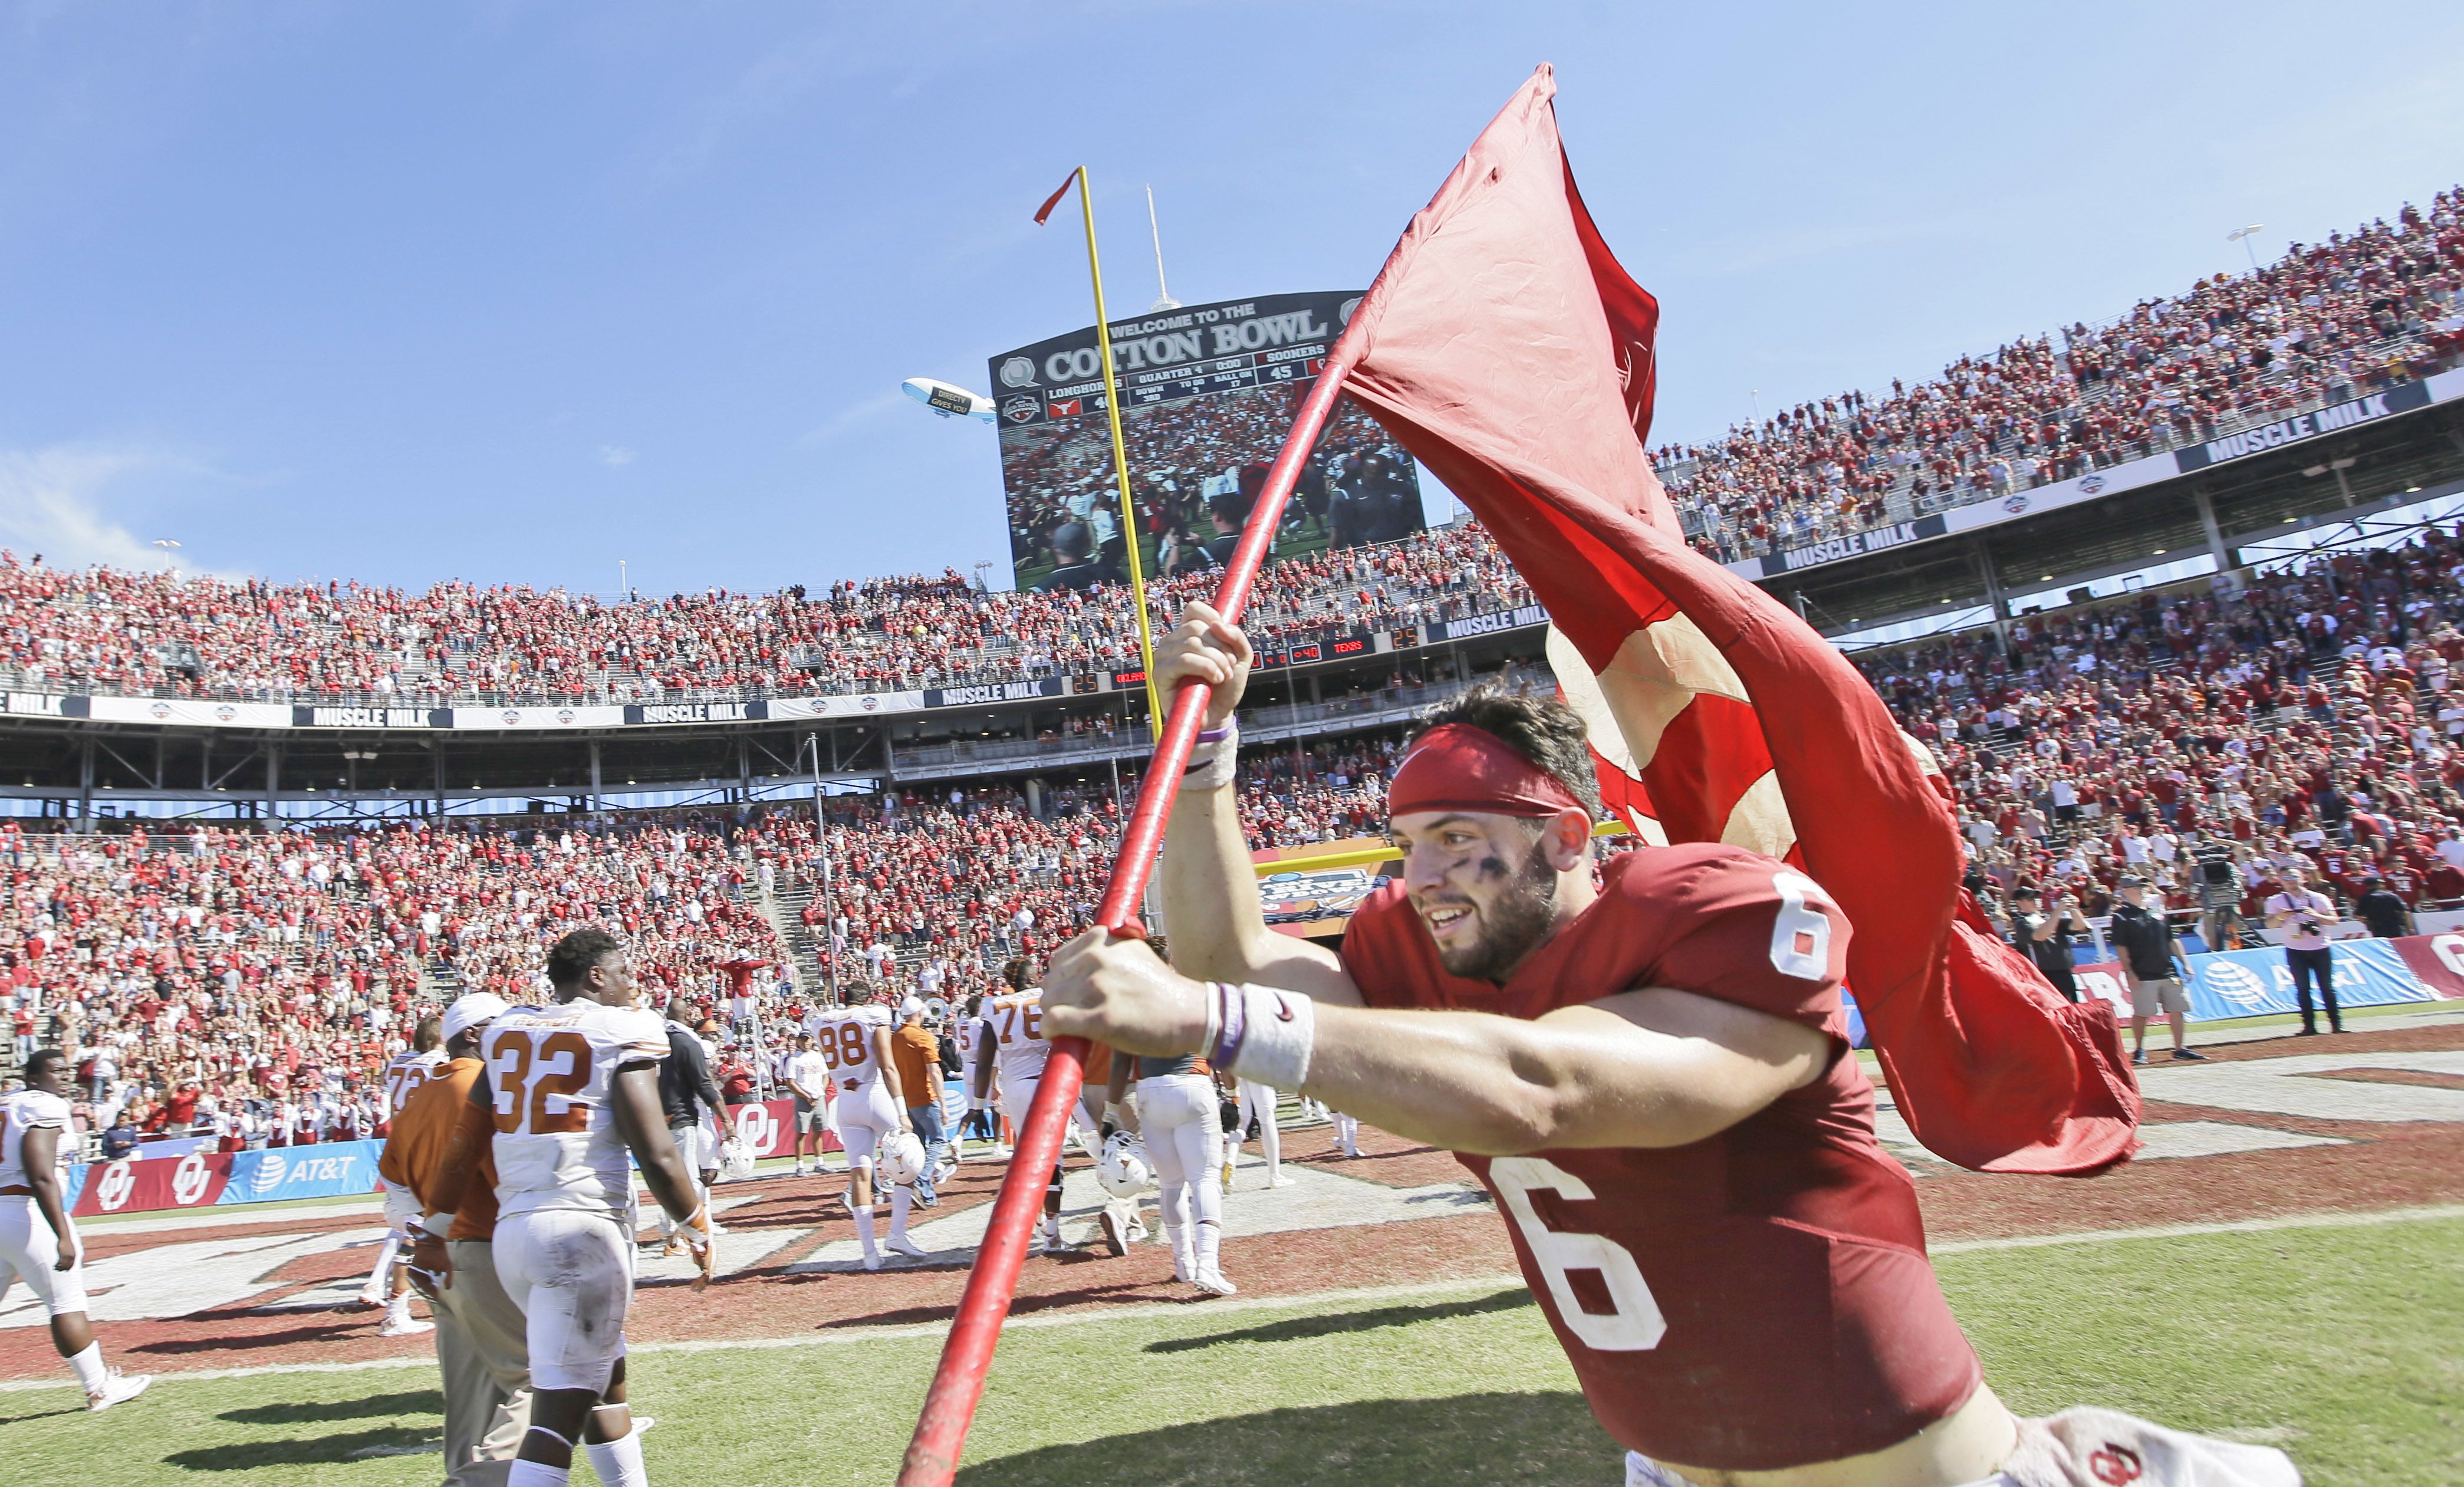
(1322, 1298)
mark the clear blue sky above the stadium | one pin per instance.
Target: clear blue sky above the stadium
(516, 292)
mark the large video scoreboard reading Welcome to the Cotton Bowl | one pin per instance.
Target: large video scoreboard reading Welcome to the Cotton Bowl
(1206, 401)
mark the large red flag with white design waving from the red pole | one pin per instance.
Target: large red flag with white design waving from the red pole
(1512, 354)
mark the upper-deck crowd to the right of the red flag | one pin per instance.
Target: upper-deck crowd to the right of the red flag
(2322, 324)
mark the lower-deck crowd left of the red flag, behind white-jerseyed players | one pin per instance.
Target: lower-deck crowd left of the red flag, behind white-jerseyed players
(253, 988)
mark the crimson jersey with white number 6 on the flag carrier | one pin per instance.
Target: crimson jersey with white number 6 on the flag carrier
(1751, 1301)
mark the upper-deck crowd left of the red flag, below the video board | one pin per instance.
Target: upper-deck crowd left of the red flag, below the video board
(203, 637)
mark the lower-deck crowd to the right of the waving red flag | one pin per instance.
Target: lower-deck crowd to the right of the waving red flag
(2214, 743)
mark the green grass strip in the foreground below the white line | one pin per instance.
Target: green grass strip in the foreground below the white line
(2344, 1345)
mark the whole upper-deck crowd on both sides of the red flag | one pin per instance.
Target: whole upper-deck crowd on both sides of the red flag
(2352, 314)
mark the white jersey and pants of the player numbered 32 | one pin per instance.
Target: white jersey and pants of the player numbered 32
(565, 1187)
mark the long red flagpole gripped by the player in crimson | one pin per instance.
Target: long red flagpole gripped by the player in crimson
(957, 1385)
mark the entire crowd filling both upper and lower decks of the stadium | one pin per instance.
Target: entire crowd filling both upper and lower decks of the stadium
(248, 973)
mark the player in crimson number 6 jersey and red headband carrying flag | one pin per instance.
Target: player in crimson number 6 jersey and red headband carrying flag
(1650, 1074)
